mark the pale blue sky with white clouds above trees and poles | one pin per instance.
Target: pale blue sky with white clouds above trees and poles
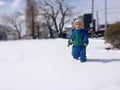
(82, 6)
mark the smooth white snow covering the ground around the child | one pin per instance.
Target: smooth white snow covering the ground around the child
(48, 65)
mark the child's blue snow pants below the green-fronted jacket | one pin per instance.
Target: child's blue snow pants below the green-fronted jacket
(79, 52)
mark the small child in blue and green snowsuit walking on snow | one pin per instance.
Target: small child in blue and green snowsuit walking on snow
(79, 40)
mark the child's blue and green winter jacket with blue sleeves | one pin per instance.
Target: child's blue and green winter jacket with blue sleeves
(79, 37)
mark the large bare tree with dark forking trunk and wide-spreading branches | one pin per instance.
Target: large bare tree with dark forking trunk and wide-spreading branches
(58, 11)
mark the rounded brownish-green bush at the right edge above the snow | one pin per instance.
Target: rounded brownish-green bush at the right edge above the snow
(112, 35)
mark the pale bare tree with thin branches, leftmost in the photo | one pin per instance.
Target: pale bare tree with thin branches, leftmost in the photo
(13, 21)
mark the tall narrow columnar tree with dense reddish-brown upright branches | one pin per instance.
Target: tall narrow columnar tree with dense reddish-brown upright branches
(31, 16)
